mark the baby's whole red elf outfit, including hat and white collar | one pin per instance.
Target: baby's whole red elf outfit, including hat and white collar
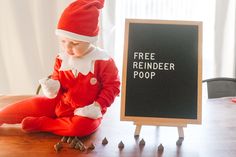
(82, 82)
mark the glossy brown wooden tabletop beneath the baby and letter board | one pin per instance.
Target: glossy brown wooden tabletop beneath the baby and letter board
(216, 137)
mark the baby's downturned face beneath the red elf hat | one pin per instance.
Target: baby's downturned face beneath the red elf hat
(75, 48)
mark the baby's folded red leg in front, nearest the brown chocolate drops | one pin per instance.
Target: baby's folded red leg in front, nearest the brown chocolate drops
(65, 126)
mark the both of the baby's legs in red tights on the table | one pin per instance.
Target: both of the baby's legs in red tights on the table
(38, 114)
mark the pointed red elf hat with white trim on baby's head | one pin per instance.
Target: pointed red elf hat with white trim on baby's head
(79, 21)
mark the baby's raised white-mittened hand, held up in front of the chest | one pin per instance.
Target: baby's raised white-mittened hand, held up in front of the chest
(50, 87)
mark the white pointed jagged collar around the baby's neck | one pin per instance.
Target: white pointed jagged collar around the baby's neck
(83, 64)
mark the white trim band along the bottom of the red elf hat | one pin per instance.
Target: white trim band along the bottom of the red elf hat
(75, 36)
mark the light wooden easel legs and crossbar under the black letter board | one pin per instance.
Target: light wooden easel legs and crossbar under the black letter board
(180, 129)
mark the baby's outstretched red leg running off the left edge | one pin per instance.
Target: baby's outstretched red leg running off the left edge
(35, 106)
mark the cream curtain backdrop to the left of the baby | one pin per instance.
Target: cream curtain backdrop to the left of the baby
(28, 44)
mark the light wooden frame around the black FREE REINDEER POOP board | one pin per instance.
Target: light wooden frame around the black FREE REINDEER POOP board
(156, 120)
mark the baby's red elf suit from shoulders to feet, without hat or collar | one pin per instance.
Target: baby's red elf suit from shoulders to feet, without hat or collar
(57, 115)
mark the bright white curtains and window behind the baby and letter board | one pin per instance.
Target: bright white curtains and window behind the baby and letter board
(28, 44)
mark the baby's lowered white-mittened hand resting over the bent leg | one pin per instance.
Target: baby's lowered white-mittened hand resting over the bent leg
(91, 111)
